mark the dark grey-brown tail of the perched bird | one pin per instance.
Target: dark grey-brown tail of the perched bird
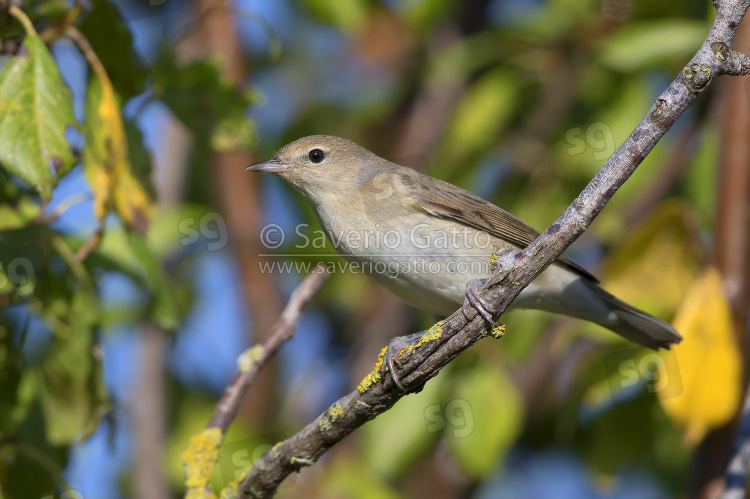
(635, 324)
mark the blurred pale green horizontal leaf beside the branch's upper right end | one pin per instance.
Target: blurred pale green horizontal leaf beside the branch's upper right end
(643, 45)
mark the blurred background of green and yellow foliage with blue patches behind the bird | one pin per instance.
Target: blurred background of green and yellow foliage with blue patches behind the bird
(131, 267)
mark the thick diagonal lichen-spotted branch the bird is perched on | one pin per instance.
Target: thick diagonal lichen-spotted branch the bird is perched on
(517, 270)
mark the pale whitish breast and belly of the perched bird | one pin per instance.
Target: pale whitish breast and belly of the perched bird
(424, 260)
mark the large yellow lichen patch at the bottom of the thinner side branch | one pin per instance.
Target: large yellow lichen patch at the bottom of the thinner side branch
(199, 459)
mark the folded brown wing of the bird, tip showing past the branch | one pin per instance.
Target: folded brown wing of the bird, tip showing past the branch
(445, 200)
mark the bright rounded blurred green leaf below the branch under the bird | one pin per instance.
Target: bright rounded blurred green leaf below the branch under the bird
(484, 419)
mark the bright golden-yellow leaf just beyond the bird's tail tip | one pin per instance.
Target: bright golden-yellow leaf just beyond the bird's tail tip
(707, 360)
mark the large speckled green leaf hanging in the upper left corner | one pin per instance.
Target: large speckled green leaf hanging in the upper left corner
(35, 109)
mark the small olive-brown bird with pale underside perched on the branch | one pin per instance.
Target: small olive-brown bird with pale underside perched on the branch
(430, 242)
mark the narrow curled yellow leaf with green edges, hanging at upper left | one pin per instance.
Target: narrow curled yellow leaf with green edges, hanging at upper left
(106, 157)
